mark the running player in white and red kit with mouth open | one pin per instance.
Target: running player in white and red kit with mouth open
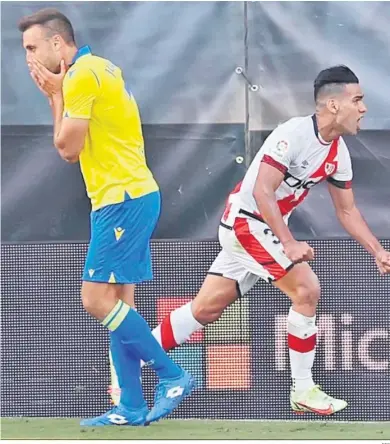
(257, 243)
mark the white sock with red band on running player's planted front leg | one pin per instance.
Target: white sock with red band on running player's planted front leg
(302, 335)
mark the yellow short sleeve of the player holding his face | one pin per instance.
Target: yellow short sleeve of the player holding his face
(80, 89)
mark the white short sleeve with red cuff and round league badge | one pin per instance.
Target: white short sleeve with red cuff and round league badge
(278, 150)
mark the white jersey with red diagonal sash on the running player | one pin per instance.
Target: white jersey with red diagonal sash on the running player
(295, 148)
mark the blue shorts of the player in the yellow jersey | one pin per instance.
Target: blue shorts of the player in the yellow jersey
(119, 250)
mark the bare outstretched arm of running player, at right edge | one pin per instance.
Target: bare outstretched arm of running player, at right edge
(353, 222)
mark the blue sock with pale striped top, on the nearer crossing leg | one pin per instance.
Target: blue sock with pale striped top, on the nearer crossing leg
(132, 329)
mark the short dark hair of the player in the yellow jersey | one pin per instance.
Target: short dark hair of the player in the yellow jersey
(51, 19)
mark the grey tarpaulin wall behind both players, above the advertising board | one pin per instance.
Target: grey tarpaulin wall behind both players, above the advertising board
(202, 123)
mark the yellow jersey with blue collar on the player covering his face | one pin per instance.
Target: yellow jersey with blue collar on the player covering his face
(112, 160)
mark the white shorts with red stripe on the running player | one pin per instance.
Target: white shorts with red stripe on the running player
(250, 251)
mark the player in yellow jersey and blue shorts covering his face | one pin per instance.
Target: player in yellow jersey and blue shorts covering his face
(96, 122)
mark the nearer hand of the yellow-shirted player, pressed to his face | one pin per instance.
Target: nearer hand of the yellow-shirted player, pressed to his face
(48, 82)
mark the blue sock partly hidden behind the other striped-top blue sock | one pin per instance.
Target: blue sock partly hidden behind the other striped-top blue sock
(128, 370)
